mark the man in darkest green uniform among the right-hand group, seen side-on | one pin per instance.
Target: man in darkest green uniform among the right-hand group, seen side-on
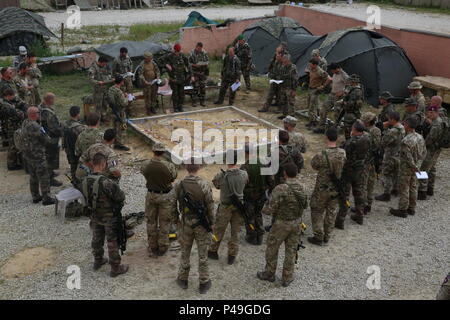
(357, 150)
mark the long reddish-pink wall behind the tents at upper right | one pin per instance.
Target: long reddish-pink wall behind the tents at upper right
(429, 52)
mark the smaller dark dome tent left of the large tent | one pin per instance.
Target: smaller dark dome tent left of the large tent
(265, 35)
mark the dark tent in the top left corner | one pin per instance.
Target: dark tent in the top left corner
(19, 27)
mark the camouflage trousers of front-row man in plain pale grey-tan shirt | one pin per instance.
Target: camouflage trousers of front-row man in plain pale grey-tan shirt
(227, 215)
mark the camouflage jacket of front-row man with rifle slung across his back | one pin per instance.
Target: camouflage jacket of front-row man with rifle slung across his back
(200, 191)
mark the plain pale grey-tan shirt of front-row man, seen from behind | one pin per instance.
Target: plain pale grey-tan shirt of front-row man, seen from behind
(229, 182)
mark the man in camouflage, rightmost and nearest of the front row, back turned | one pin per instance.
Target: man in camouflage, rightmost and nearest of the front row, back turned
(286, 206)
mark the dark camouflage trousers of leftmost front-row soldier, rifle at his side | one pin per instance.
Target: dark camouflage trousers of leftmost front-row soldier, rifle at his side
(100, 230)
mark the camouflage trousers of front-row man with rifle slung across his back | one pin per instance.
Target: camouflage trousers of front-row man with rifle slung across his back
(202, 239)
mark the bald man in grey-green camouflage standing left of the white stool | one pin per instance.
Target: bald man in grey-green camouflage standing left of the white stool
(36, 139)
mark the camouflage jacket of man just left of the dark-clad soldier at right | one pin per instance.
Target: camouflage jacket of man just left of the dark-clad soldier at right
(337, 158)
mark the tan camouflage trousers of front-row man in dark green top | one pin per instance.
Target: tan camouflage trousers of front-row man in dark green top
(159, 209)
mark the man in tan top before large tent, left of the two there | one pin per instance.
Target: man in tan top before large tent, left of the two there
(317, 80)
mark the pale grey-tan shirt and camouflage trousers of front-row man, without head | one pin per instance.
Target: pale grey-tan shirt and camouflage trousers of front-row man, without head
(227, 213)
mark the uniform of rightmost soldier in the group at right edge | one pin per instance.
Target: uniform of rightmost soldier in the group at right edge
(433, 151)
